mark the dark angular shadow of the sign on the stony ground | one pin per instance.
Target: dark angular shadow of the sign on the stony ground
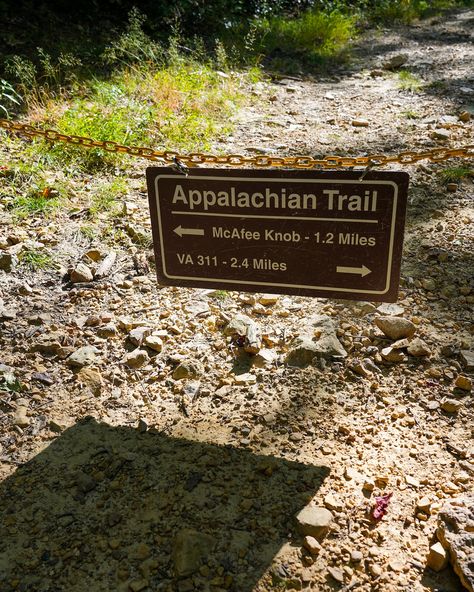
(111, 508)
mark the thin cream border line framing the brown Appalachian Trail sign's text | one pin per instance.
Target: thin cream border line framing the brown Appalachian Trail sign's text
(280, 180)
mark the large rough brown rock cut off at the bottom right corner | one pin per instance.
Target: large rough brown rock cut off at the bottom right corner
(455, 531)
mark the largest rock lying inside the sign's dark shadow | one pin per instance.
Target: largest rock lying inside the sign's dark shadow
(190, 548)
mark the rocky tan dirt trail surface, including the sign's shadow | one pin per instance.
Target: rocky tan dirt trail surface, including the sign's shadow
(156, 438)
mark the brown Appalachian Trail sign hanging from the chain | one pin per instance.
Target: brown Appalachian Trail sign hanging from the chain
(327, 234)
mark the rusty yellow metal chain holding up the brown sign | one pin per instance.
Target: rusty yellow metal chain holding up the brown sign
(195, 158)
